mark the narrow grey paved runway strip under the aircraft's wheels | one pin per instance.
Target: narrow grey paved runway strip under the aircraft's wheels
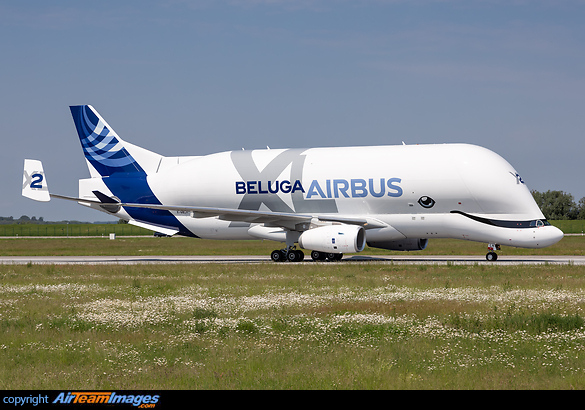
(251, 259)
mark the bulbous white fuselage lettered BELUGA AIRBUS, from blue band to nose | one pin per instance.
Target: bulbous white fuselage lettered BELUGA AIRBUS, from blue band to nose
(419, 191)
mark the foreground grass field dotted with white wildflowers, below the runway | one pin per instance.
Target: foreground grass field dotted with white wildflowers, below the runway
(291, 326)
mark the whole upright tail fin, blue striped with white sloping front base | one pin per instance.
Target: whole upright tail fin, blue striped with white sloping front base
(106, 153)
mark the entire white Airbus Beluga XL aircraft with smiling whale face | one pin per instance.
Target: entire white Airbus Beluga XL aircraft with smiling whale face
(329, 201)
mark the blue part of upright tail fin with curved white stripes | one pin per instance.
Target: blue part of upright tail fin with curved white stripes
(103, 149)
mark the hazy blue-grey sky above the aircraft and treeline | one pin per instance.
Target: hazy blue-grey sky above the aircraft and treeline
(194, 77)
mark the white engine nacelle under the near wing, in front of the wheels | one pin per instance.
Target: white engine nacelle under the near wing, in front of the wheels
(334, 239)
